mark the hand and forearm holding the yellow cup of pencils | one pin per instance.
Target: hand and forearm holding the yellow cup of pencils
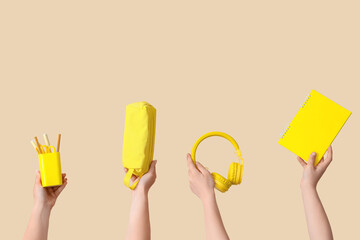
(44, 201)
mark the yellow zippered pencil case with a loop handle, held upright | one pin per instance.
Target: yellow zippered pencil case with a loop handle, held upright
(139, 139)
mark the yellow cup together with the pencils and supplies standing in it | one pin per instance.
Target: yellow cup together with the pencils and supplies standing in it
(49, 160)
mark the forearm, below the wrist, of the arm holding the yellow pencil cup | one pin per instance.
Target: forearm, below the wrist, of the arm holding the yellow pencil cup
(38, 226)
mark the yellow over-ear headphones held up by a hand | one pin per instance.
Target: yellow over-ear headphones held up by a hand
(235, 170)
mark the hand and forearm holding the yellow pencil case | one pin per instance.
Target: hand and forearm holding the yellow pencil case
(139, 221)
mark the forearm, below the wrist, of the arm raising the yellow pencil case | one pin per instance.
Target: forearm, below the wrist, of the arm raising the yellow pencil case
(139, 222)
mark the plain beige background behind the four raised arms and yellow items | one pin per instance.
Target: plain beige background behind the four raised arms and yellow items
(242, 67)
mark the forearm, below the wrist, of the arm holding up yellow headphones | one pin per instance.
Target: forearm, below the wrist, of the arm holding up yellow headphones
(213, 223)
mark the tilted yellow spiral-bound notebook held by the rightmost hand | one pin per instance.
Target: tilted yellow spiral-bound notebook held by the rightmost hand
(314, 127)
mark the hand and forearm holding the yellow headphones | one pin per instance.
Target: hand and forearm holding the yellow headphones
(202, 185)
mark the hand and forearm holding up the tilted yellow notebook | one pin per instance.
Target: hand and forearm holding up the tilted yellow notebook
(317, 221)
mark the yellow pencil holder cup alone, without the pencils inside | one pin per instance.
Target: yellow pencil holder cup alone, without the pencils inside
(50, 169)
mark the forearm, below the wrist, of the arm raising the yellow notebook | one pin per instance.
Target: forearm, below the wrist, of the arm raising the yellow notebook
(318, 224)
